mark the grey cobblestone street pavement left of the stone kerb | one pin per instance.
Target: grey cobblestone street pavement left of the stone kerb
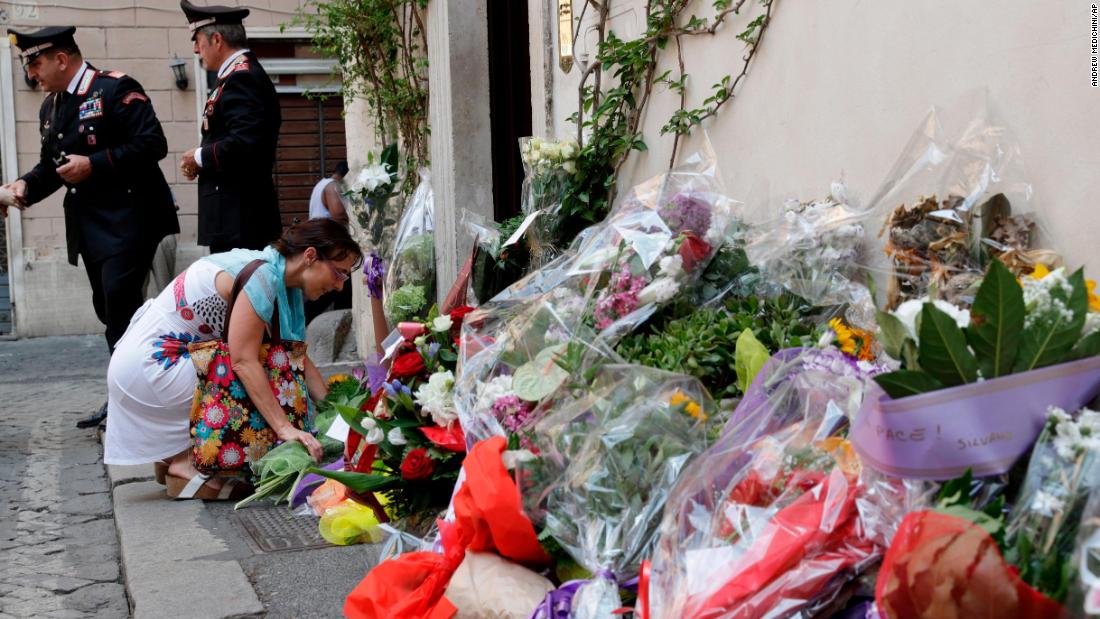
(58, 537)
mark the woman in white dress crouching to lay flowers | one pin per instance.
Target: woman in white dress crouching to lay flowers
(151, 381)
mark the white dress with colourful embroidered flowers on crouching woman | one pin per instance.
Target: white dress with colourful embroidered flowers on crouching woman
(151, 380)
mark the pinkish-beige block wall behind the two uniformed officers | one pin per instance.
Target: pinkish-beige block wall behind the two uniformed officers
(139, 38)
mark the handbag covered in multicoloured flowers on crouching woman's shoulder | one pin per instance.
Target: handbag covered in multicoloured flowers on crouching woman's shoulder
(228, 432)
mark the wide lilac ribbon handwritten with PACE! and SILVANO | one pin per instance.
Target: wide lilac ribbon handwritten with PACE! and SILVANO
(985, 427)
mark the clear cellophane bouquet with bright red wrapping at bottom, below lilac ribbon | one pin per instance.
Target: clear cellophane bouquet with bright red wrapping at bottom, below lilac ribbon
(768, 522)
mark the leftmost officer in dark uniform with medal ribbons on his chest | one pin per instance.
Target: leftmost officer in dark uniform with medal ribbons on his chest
(116, 217)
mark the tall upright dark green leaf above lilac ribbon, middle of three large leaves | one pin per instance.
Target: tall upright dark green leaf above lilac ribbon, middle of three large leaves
(997, 322)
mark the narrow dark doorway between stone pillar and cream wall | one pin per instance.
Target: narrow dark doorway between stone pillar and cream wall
(510, 95)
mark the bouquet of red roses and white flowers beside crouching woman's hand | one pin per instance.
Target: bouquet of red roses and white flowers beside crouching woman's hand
(413, 444)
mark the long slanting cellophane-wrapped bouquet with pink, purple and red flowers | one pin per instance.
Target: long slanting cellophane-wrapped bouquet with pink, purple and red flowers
(650, 251)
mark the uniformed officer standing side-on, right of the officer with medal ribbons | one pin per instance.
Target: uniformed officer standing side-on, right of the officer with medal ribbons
(238, 205)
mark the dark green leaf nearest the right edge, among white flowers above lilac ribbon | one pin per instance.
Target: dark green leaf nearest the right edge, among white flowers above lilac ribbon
(1049, 342)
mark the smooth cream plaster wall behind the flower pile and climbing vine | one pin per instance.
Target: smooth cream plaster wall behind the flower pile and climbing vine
(839, 87)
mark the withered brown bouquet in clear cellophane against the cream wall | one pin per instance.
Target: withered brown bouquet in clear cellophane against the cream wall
(952, 206)
